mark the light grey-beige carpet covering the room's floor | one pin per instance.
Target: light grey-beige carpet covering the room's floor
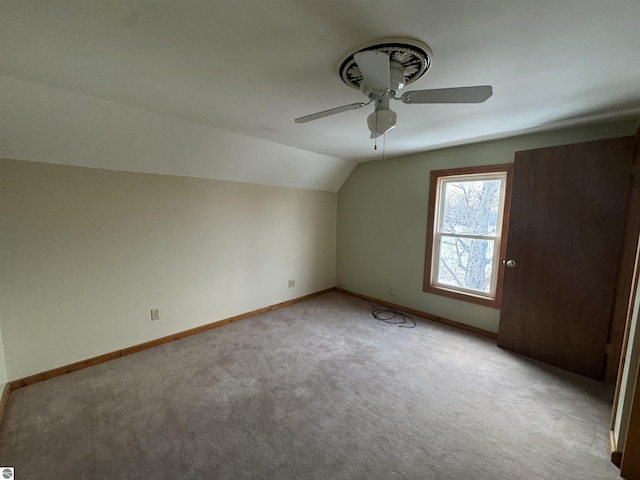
(316, 390)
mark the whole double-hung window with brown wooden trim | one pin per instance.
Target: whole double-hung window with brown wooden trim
(465, 235)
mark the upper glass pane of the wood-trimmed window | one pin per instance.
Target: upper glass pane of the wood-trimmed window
(470, 206)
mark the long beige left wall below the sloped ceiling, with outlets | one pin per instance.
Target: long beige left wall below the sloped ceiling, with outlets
(87, 253)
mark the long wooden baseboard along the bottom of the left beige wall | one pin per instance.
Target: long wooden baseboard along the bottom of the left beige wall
(56, 372)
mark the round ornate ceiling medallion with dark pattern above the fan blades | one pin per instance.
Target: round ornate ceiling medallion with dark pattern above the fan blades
(410, 60)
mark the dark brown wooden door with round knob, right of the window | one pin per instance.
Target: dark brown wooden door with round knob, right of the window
(566, 226)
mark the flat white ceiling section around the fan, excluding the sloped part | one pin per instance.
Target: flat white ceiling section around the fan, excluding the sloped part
(251, 66)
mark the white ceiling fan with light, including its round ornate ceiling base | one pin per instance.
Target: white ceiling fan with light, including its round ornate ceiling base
(381, 69)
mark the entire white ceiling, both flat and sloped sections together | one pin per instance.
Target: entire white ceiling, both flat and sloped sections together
(211, 73)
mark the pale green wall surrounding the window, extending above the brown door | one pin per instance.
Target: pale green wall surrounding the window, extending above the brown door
(382, 219)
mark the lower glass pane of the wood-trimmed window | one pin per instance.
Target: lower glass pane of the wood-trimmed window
(465, 263)
